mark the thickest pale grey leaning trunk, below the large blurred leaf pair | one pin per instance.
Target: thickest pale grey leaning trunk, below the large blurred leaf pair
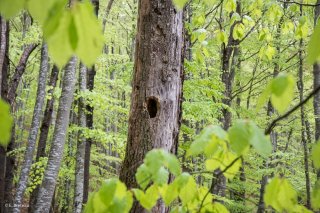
(51, 174)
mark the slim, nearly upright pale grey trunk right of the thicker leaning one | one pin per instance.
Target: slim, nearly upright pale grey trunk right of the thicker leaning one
(80, 154)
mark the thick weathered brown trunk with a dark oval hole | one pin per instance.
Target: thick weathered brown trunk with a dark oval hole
(154, 118)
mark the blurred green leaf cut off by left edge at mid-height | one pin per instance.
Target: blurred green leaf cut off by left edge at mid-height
(6, 122)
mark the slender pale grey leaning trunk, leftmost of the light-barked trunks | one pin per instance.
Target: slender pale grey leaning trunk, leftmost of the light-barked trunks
(41, 93)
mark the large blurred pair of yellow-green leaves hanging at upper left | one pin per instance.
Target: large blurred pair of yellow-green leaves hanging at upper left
(74, 31)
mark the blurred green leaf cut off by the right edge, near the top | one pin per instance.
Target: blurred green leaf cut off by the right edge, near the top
(313, 46)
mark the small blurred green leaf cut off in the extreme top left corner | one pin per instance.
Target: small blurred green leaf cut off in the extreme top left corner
(10, 8)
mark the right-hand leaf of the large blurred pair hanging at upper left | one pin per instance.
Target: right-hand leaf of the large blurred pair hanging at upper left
(90, 38)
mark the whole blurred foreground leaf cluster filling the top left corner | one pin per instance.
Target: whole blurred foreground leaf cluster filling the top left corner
(68, 32)
